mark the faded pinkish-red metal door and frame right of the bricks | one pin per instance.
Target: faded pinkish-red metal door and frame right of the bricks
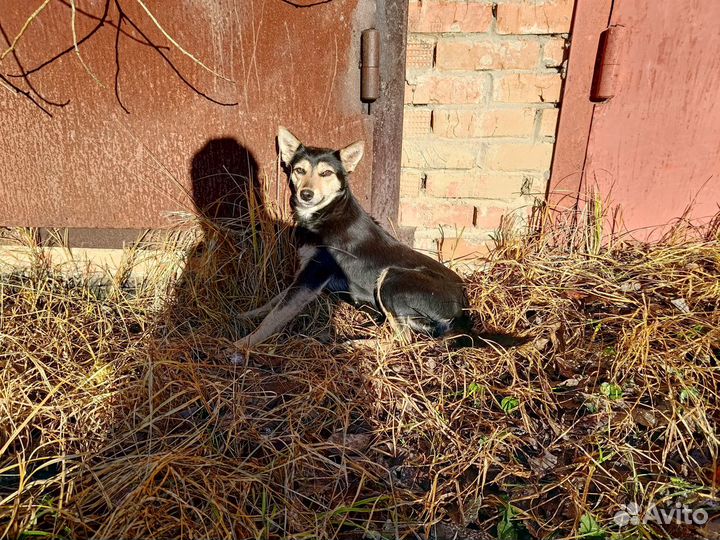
(653, 145)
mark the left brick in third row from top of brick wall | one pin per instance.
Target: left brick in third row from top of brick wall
(454, 89)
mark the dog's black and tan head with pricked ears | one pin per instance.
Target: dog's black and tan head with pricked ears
(318, 175)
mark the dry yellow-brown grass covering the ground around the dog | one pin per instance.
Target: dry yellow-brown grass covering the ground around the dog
(120, 419)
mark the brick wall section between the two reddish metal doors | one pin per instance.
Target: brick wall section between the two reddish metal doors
(481, 97)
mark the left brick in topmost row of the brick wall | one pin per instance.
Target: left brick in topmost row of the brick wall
(443, 16)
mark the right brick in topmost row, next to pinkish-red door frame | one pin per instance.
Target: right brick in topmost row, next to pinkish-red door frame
(535, 17)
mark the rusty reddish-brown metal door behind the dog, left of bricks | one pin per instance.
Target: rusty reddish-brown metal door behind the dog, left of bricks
(117, 112)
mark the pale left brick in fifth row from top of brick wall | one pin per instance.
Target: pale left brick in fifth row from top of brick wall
(439, 154)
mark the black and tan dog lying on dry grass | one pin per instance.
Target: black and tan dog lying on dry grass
(344, 251)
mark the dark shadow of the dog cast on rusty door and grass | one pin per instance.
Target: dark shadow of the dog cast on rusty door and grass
(223, 268)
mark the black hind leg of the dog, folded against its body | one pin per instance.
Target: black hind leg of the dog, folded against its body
(420, 299)
